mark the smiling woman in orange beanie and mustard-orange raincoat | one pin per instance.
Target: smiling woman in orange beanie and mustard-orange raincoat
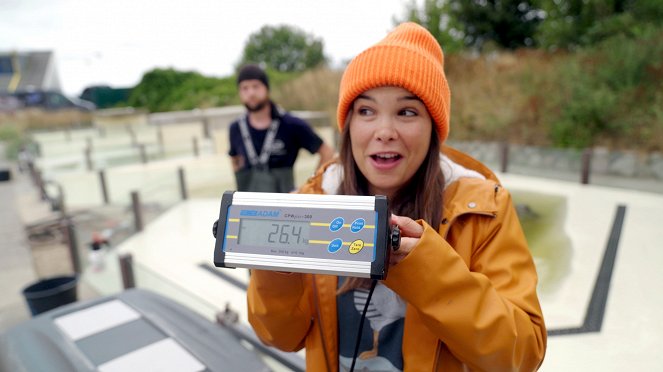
(461, 289)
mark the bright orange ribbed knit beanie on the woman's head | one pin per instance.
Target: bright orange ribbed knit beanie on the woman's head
(409, 57)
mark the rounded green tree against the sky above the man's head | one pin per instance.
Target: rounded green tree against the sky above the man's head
(283, 48)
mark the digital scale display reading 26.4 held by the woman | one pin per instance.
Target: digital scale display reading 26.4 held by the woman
(326, 234)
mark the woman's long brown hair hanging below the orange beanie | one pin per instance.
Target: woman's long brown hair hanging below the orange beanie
(419, 198)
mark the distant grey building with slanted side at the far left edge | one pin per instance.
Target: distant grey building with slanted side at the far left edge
(28, 71)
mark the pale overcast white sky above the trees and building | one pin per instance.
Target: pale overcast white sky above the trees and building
(114, 42)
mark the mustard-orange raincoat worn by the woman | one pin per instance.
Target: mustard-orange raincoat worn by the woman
(469, 284)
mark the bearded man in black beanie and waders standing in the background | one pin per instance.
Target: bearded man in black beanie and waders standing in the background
(265, 142)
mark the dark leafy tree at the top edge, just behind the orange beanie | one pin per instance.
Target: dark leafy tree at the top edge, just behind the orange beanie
(473, 23)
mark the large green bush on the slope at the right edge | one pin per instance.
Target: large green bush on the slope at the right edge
(609, 93)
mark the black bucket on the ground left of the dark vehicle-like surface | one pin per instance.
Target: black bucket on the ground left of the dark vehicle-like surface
(50, 293)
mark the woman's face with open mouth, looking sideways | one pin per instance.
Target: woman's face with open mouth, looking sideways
(390, 130)
